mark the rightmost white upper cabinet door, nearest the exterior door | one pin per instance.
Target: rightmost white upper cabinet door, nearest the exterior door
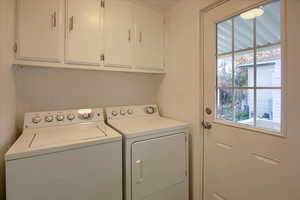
(149, 38)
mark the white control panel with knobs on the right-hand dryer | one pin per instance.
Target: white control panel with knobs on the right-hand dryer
(125, 112)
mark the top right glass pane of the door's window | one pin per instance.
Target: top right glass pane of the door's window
(268, 25)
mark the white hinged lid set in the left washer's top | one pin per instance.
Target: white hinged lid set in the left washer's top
(65, 134)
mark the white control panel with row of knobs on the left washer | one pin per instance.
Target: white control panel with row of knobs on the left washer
(65, 117)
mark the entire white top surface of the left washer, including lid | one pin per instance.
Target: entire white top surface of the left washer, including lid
(39, 141)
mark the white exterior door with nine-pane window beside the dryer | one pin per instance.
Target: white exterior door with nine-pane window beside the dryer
(250, 151)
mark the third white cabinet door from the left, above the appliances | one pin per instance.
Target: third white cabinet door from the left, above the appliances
(119, 33)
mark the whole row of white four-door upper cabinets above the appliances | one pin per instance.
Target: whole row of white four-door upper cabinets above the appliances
(114, 35)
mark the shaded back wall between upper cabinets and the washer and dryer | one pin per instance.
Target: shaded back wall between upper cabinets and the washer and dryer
(41, 89)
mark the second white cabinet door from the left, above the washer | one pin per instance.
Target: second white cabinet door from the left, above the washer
(83, 43)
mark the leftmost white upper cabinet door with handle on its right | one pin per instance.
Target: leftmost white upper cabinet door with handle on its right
(39, 30)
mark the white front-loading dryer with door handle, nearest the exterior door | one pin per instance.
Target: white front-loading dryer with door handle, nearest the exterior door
(155, 153)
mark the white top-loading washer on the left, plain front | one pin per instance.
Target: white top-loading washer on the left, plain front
(64, 155)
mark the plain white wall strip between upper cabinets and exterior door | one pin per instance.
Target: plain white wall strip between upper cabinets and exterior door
(179, 95)
